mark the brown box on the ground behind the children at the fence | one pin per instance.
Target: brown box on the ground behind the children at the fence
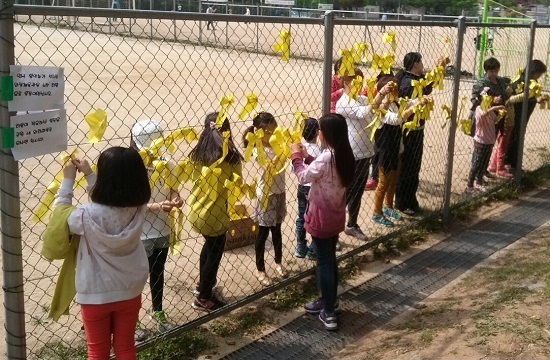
(242, 229)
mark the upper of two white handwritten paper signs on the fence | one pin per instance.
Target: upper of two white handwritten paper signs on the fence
(37, 88)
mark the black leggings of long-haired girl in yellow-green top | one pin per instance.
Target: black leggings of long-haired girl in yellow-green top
(211, 256)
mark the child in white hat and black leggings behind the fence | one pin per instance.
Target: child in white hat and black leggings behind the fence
(156, 229)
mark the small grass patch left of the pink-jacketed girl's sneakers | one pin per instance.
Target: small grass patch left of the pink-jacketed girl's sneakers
(249, 323)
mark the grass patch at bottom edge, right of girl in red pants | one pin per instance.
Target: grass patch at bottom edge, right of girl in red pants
(187, 345)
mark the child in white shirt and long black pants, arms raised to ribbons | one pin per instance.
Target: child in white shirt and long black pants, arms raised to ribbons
(358, 115)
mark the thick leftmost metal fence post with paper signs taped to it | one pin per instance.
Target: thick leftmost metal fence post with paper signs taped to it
(12, 258)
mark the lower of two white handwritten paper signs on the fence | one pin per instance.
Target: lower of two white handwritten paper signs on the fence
(39, 133)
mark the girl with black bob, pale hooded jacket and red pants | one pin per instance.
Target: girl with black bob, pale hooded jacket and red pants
(112, 265)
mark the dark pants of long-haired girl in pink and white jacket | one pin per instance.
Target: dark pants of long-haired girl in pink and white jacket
(327, 271)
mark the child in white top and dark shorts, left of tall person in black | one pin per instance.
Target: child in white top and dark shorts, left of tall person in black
(387, 140)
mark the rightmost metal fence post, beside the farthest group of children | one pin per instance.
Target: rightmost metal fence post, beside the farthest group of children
(525, 104)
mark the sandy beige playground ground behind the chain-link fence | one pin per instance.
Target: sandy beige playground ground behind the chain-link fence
(178, 83)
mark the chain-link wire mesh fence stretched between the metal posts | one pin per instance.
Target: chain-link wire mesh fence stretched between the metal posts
(174, 68)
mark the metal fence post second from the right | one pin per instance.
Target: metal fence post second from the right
(452, 125)
